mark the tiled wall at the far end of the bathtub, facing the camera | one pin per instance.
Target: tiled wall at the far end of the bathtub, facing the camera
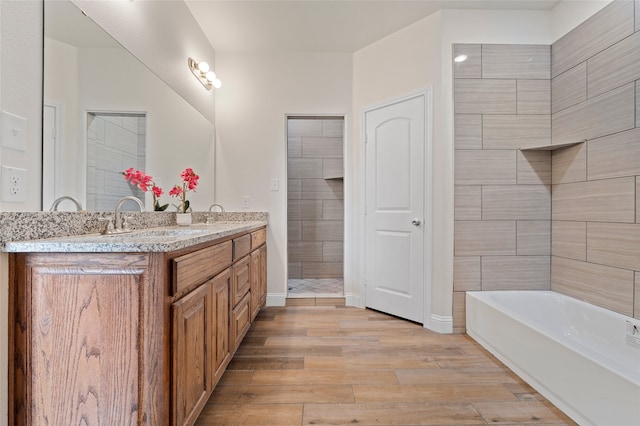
(502, 194)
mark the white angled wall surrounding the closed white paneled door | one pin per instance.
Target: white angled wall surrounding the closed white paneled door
(402, 63)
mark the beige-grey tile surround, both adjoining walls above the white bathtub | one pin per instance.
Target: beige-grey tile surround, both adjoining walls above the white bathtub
(592, 225)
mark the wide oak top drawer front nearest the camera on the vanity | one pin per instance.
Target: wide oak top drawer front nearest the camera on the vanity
(195, 268)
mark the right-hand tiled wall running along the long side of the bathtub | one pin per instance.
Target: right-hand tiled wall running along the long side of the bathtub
(596, 185)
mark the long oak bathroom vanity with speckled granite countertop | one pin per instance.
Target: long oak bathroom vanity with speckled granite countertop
(129, 329)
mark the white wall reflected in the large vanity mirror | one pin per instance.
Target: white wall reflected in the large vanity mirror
(177, 136)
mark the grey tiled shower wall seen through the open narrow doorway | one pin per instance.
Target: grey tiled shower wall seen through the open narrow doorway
(315, 199)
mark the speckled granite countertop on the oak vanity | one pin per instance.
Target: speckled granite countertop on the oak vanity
(159, 239)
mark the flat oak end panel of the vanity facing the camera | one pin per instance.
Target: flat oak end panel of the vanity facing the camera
(82, 347)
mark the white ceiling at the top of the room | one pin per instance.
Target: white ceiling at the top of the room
(322, 25)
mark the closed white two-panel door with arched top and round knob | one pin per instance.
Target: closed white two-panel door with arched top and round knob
(395, 207)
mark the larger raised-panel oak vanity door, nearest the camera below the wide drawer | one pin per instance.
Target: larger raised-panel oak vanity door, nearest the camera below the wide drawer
(192, 339)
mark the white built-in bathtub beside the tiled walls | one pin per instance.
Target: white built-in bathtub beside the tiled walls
(575, 354)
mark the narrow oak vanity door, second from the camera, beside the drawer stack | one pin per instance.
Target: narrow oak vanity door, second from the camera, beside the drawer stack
(220, 290)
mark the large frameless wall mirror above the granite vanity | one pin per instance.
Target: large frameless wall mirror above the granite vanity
(105, 111)
